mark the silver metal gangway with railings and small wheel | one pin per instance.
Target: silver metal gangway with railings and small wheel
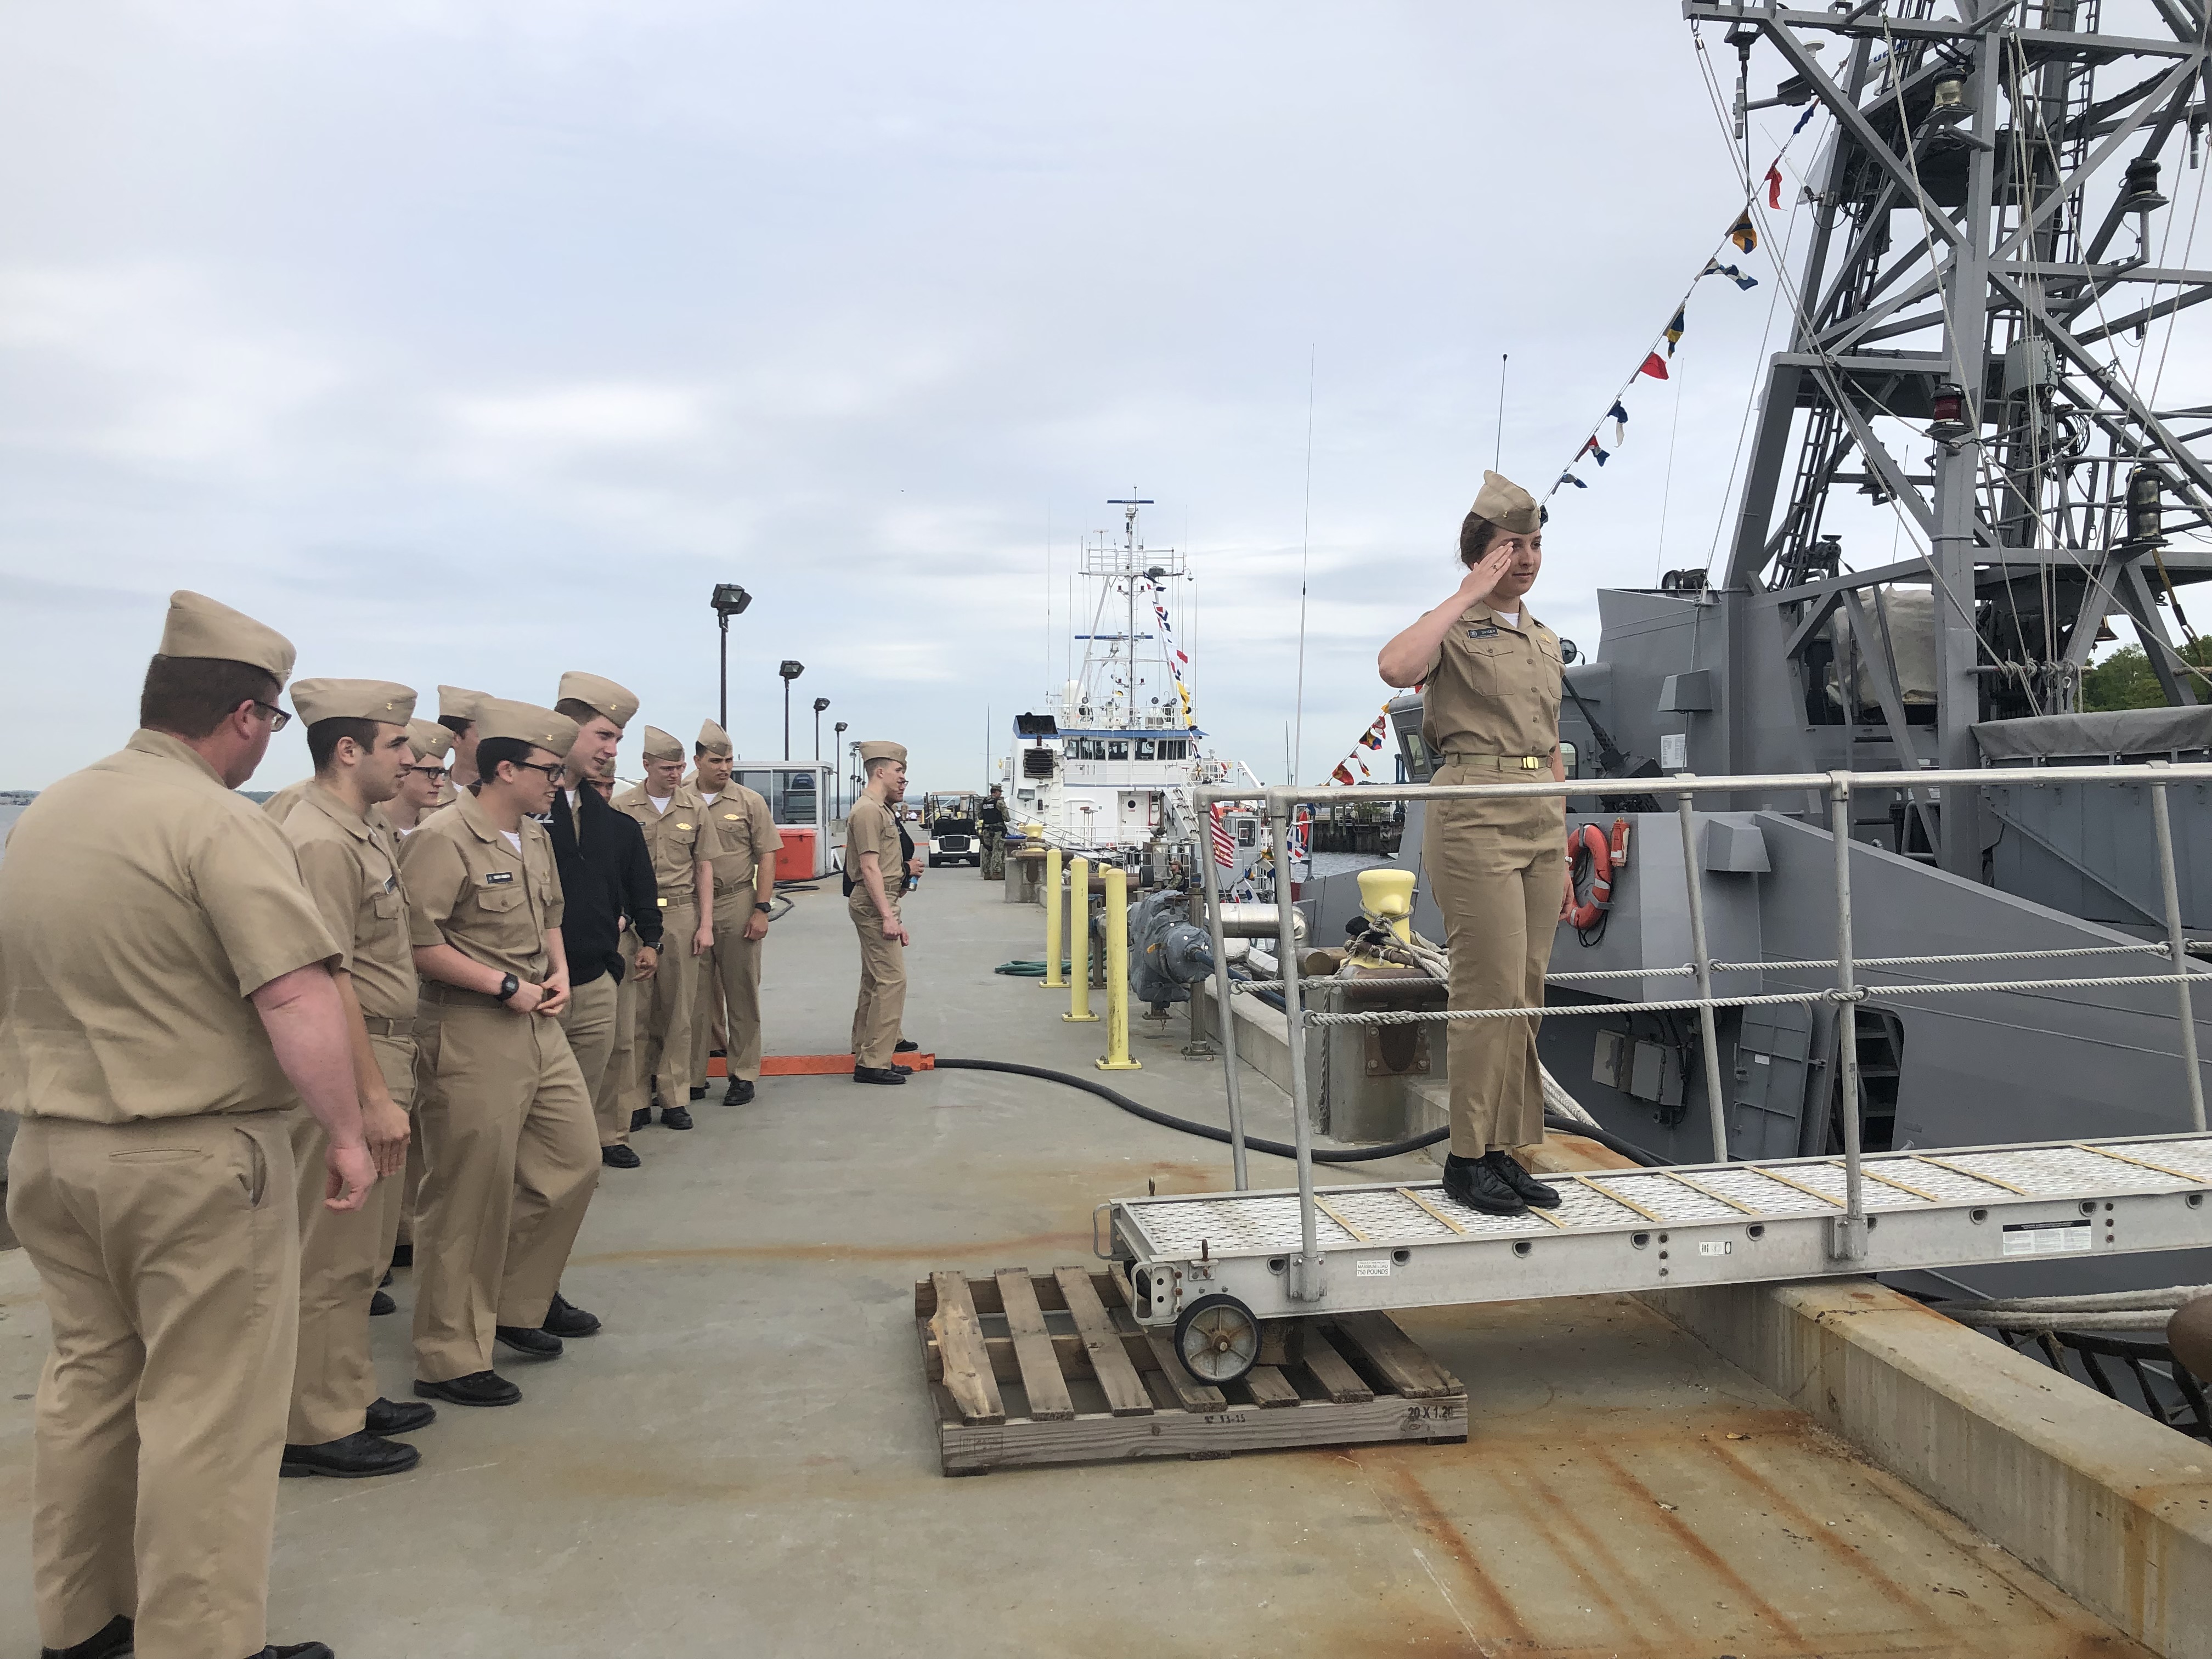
(1215, 1264)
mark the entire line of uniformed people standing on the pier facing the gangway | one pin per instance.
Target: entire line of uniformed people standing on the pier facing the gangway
(459, 985)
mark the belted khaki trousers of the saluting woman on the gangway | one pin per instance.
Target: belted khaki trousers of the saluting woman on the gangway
(1496, 870)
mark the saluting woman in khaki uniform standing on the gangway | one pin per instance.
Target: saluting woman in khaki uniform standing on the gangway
(1496, 868)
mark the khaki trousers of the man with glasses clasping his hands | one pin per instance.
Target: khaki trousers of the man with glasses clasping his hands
(510, 1167)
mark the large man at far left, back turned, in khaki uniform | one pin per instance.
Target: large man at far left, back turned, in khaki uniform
(165, 1003)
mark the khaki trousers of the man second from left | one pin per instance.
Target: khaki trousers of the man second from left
(342, 1258)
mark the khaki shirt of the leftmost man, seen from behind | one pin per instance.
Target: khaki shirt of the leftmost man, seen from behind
(140, 906)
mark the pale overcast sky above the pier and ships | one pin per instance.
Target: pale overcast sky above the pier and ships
(474, 342)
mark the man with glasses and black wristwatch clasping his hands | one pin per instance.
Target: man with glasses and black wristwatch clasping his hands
(508, 1140)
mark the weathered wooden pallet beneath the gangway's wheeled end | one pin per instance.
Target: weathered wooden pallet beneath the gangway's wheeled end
(1089, 1386)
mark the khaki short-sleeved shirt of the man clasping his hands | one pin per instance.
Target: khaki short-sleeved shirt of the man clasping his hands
(470, 890)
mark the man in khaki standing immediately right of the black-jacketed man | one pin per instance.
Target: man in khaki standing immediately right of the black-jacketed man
(682, 842)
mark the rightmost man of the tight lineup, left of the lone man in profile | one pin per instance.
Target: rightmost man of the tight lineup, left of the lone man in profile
(744, 886)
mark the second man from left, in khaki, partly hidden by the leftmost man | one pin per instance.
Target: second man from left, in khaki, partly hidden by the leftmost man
(351, 862)
